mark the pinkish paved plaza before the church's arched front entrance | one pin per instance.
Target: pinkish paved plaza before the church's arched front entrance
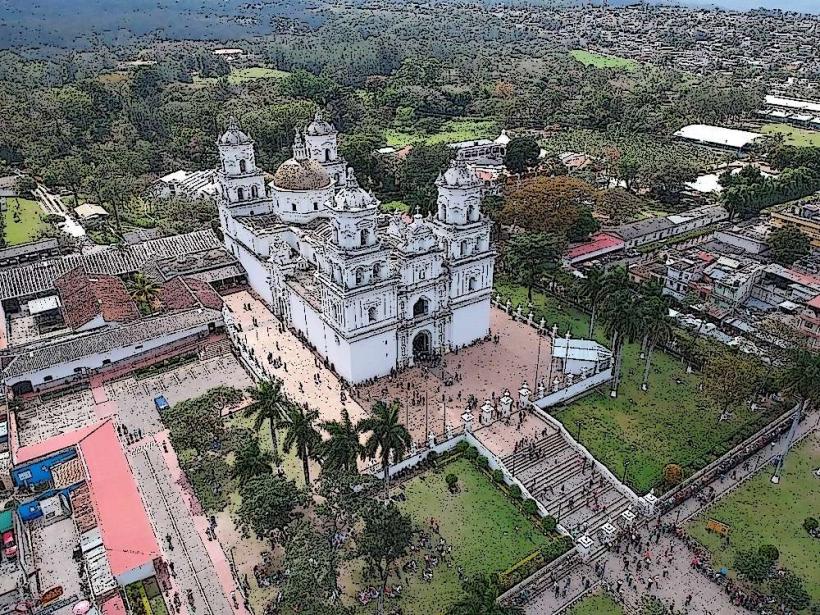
(431, 396)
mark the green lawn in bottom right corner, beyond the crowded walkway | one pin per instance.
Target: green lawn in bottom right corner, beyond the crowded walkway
(760, 512)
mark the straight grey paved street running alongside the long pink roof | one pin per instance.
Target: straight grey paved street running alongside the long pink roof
(171, 516)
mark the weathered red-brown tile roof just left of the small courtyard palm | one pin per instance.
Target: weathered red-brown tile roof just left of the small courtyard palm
(85, 296)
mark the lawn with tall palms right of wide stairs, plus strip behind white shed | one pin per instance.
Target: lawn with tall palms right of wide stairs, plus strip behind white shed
(670, 423)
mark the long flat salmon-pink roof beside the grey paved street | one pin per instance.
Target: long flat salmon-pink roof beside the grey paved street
(124, 526)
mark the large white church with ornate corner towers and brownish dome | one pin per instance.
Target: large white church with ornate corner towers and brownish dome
(372, 292)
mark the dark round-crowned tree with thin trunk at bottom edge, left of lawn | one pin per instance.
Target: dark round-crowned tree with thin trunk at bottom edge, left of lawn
(384, 539)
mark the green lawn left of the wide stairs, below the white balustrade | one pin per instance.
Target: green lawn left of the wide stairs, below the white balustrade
(486, 530)
